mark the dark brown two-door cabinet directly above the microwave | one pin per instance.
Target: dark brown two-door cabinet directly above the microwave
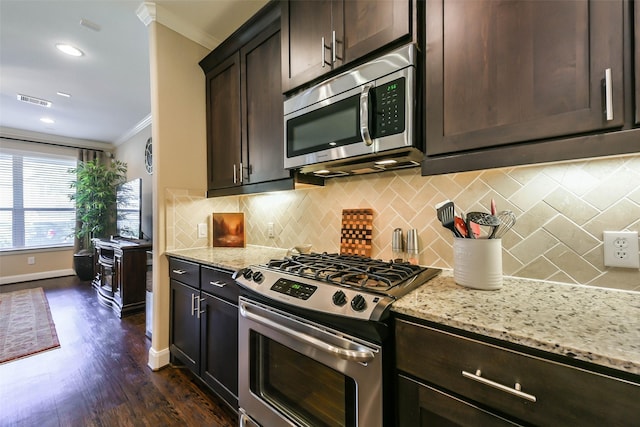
(319, 36)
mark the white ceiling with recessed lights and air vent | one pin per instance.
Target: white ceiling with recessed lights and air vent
(109, 84)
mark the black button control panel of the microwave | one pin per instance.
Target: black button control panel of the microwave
(390, 101)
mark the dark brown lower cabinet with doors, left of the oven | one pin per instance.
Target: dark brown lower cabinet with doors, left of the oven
(203, 331)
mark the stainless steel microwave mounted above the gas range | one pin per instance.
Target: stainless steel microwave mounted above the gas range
(360, 121)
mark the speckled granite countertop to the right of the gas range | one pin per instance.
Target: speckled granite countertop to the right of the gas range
(596, 325)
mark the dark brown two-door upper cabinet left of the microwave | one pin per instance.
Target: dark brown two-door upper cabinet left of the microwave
(245, 139)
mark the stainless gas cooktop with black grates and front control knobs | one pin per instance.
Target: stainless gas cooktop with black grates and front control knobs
(351, 286)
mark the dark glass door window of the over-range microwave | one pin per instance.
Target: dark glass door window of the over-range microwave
(327, 127)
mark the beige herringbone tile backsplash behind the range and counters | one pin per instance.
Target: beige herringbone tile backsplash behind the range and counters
(561, 208)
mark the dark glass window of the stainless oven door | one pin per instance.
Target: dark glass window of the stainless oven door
(303, 389)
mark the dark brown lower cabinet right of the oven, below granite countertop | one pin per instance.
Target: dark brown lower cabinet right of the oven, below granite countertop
(447, 378)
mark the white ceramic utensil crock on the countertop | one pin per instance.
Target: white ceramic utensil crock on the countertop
(477, 263)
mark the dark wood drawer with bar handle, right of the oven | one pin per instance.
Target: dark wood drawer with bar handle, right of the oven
(549, 392)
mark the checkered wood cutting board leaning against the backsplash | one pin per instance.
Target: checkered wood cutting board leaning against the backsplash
(357, 227)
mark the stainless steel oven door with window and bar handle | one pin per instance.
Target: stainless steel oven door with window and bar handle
(293, 372)
